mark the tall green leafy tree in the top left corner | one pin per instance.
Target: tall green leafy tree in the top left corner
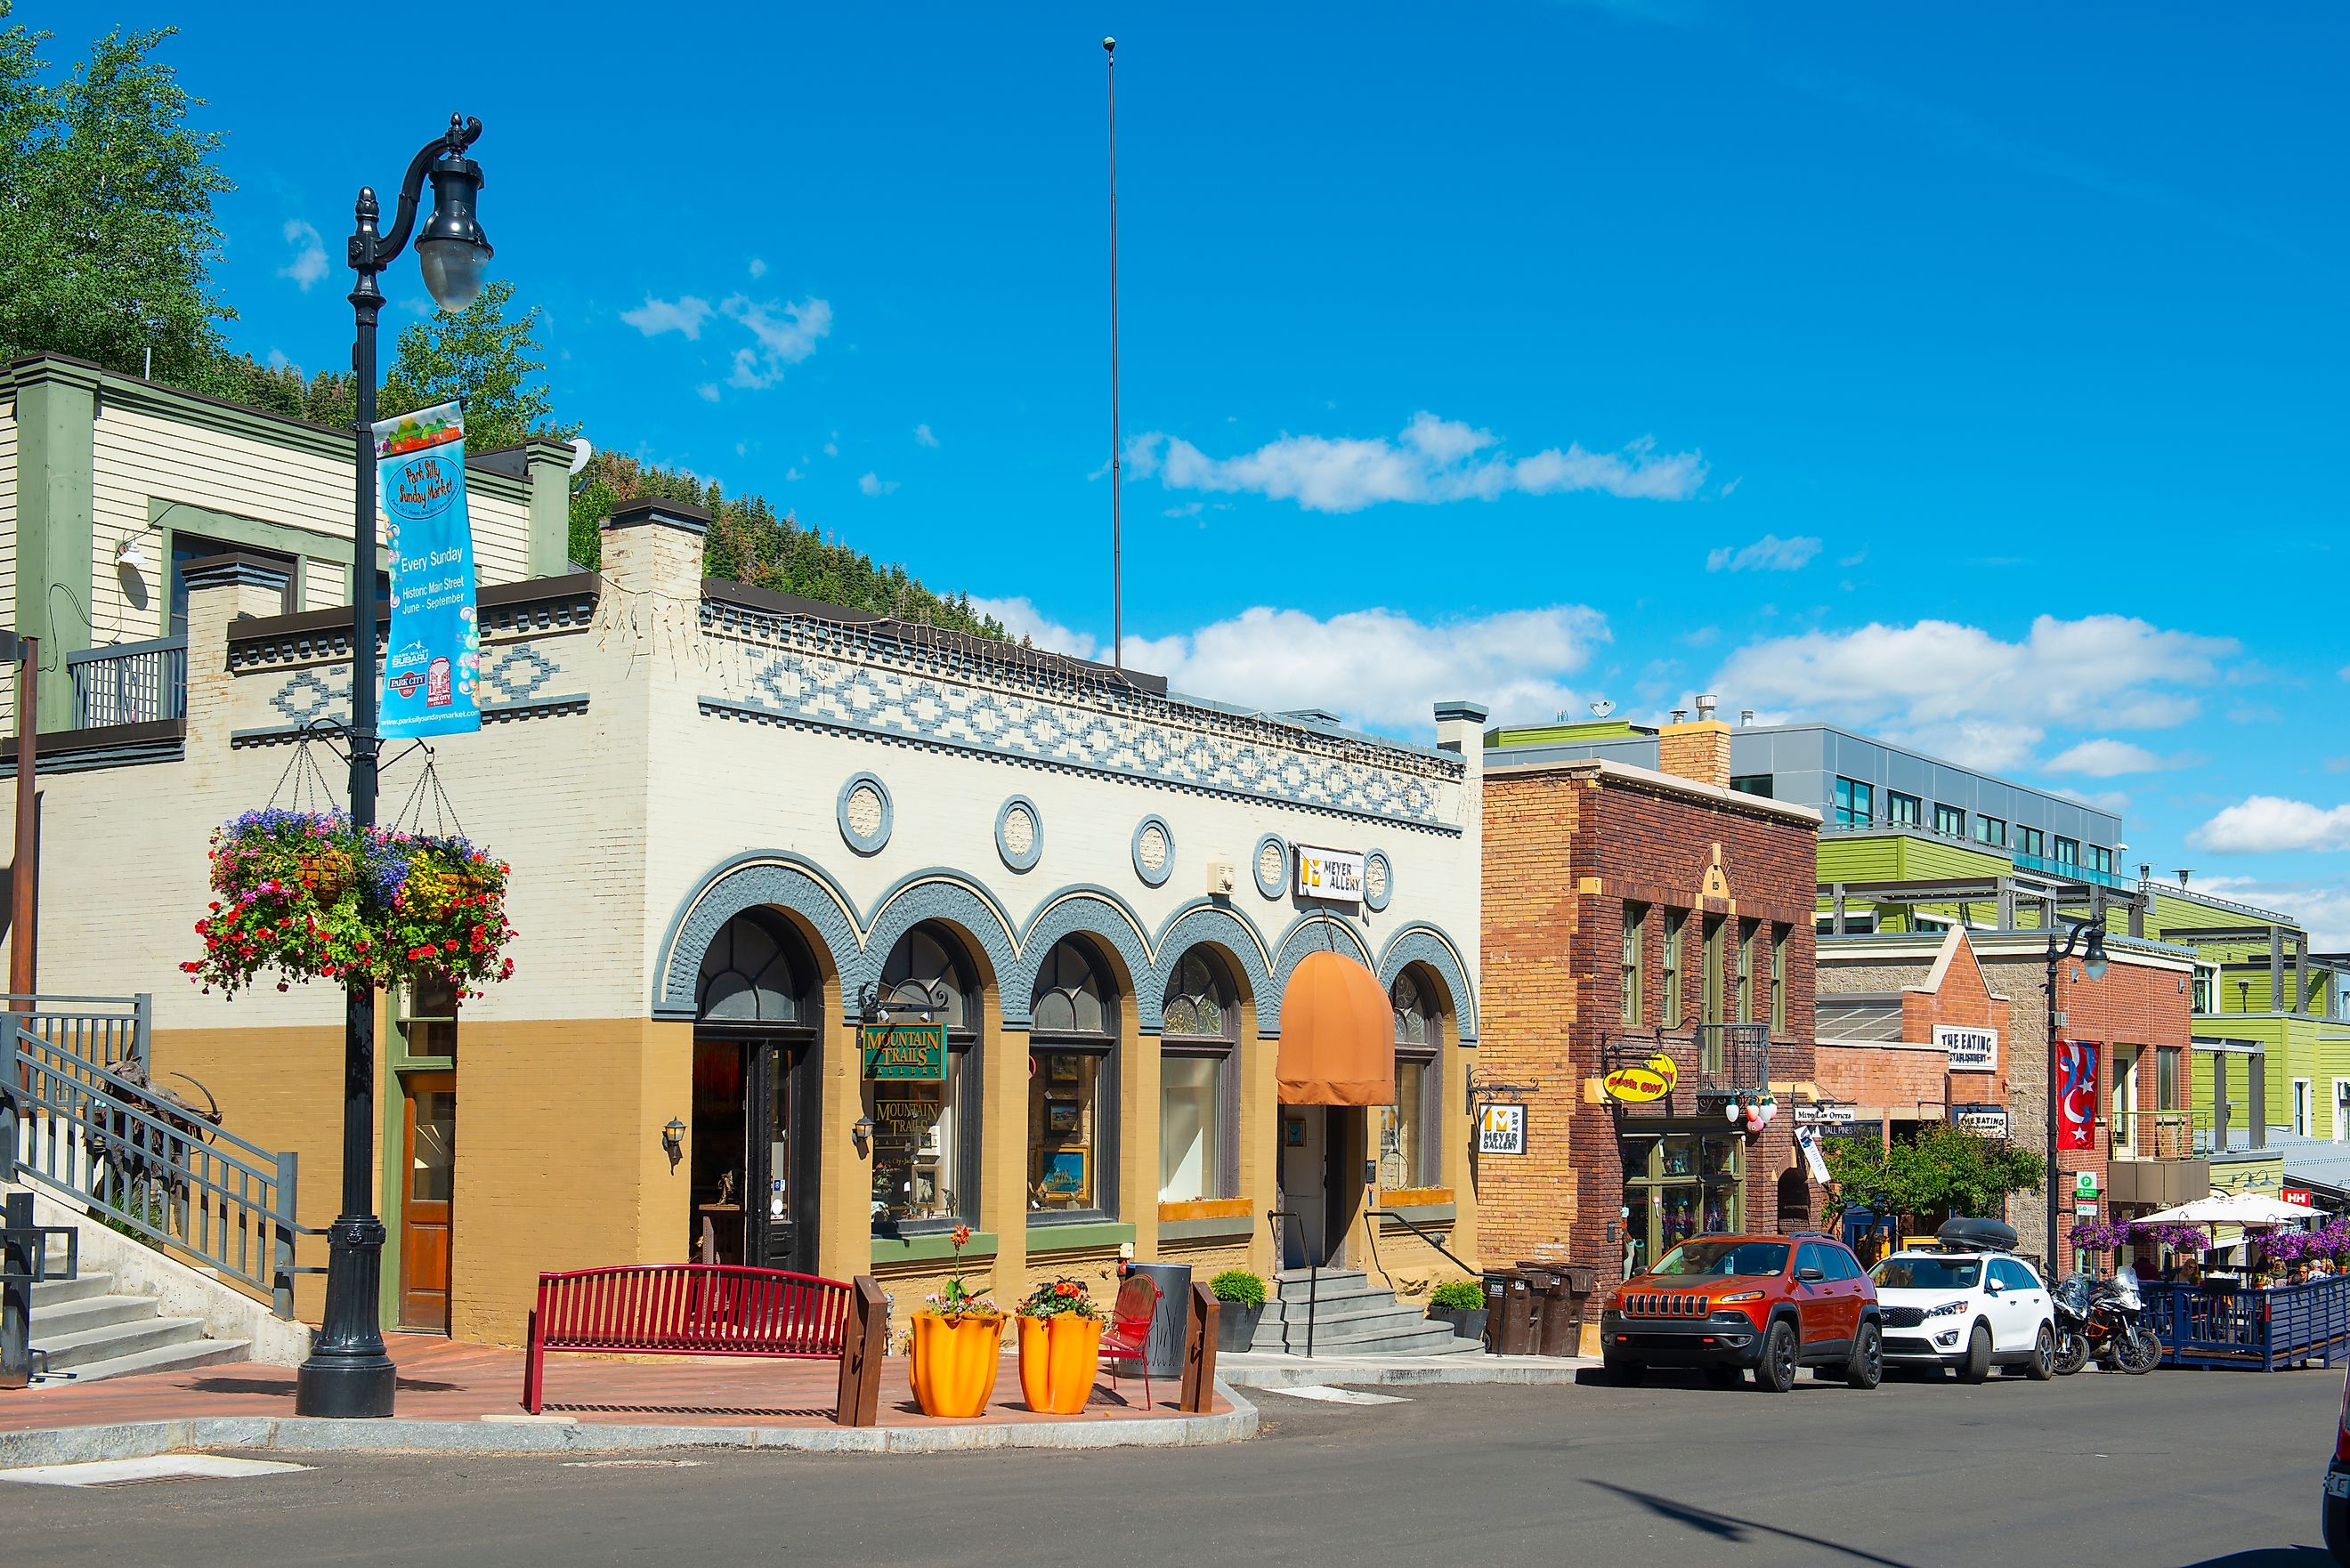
(107, 234)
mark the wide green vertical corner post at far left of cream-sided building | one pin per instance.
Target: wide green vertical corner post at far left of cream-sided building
(55, 530)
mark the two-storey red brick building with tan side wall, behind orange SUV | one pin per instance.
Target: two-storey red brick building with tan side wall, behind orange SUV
(1639, 913)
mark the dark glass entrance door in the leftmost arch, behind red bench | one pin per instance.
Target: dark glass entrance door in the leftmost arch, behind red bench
(756, 1151)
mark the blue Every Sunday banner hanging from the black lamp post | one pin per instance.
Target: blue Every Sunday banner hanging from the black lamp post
(434, 655)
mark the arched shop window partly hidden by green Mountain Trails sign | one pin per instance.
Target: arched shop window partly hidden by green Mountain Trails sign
(927, 1134)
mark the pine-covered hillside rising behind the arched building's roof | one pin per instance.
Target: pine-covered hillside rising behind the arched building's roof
(751, 544)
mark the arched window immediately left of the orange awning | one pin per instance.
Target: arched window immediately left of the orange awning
(1200, 1087)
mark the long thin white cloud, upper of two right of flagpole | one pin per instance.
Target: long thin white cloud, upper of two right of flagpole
(1432, 462)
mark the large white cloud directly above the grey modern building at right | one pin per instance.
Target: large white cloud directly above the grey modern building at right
(1978, 699)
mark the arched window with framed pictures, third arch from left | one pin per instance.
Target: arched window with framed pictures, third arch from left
(1075, 1087)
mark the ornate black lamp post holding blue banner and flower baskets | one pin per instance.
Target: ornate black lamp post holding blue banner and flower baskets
(349, 1374)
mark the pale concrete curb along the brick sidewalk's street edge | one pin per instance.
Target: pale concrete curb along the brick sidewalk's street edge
(304, 1435)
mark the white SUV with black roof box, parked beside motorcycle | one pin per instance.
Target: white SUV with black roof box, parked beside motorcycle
(1968, 1311)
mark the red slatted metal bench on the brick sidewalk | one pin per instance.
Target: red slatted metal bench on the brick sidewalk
(685, 1311)
